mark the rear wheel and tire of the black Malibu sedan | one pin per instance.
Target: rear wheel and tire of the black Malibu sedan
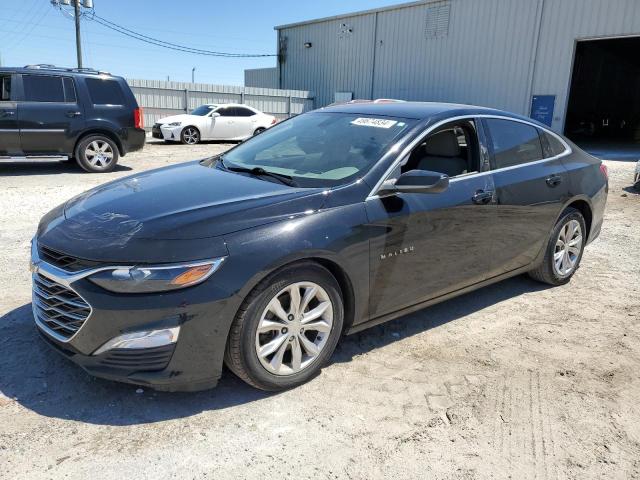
(564, 250)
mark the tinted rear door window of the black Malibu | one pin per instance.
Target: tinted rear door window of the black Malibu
(514, 143)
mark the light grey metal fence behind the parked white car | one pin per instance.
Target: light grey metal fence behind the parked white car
(161, 99)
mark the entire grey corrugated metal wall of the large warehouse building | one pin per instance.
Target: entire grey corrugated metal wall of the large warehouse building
(497, 53)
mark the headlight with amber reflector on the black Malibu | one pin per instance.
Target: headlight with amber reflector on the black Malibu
(160, 278)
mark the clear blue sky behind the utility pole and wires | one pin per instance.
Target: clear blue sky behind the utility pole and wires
(32, 31)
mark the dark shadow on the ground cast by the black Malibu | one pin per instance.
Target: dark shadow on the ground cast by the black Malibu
(43, 381)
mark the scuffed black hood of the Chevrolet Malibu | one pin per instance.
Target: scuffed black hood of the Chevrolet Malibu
(186, 202)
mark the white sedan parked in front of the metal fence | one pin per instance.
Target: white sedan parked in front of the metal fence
(229, 121)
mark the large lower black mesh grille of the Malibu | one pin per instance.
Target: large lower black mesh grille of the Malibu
(57, 307)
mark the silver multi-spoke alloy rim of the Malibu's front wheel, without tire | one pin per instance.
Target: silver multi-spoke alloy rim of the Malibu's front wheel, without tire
(294, 328)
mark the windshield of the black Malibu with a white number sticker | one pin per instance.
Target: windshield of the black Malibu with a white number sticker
(320, 149)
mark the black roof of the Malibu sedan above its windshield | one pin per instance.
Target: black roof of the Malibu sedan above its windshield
(419, 110)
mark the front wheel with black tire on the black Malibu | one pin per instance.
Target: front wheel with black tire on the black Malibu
(287, 328)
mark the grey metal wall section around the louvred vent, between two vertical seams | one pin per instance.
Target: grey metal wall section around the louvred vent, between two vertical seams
(483, 59)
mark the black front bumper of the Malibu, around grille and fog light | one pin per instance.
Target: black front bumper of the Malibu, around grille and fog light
(203, 312)
